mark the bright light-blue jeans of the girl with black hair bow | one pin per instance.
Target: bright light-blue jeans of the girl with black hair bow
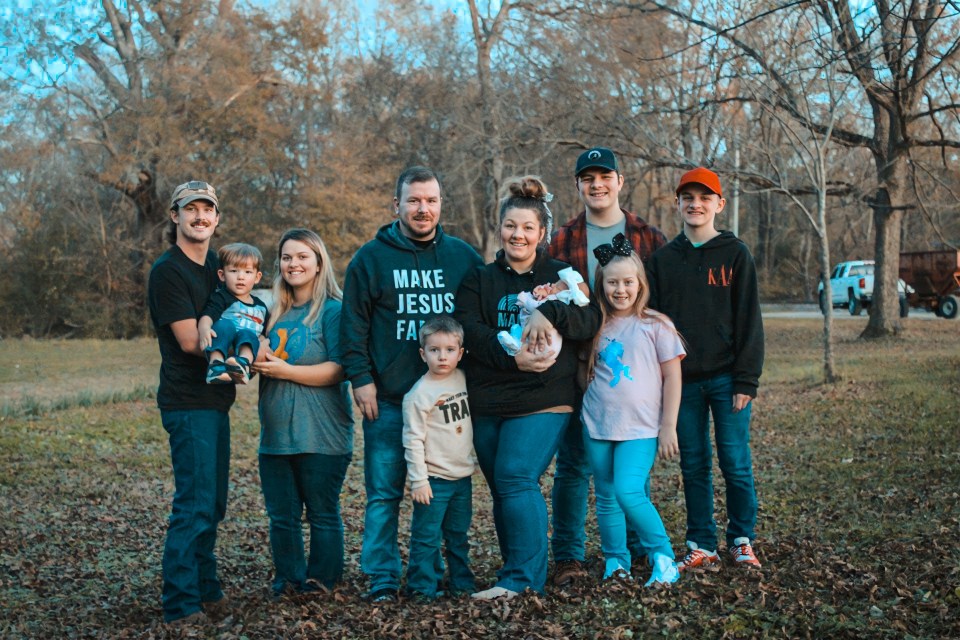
(621, 475)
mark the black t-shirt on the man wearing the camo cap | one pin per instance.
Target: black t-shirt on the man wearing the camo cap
(178, 290)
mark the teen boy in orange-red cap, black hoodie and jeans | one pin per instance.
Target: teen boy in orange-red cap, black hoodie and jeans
(706, 282)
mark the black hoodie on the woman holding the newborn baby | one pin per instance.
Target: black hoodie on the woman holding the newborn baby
(486, 304)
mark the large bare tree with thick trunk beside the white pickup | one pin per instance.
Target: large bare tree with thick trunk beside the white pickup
(893, 51)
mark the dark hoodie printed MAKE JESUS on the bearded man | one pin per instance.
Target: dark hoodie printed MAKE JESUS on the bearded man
(391, 288)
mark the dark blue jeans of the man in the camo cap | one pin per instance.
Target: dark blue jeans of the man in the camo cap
(200, 453)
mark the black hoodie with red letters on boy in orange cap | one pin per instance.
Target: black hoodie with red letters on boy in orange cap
(710, 292)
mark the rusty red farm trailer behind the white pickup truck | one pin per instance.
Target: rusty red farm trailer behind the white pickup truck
(935, 278)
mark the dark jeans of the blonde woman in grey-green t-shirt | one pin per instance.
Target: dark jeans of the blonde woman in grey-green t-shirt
(290, 483)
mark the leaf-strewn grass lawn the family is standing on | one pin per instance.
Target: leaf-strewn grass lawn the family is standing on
(858, 481)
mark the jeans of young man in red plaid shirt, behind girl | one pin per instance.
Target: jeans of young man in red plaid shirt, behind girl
(571, 488)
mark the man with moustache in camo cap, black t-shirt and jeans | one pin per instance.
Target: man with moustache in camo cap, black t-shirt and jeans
(194, 414)
